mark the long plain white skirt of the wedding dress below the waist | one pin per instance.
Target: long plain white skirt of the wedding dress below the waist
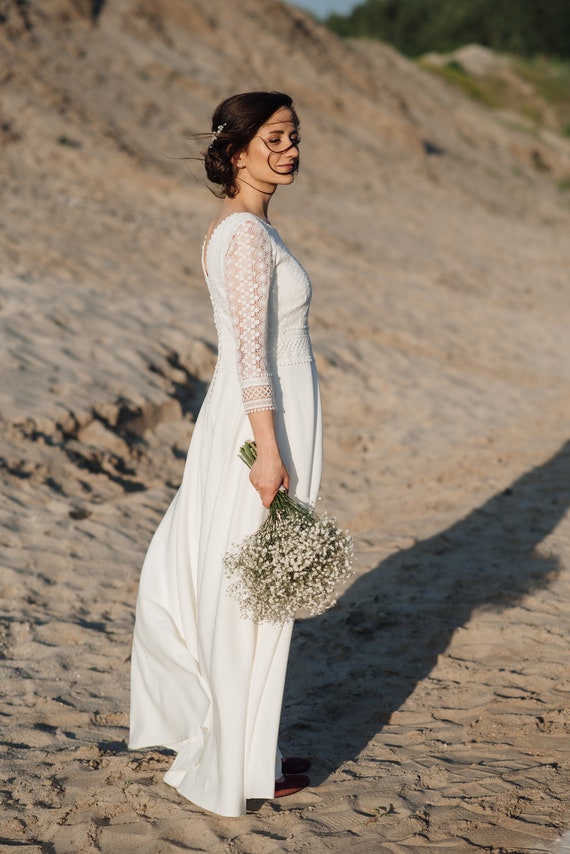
(205, 681)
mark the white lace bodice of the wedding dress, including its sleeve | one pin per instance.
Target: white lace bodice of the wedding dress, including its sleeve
(260, 295)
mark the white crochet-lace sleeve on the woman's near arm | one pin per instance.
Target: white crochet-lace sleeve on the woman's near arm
(249, 268)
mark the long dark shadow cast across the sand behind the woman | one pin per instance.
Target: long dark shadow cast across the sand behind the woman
(351, 667)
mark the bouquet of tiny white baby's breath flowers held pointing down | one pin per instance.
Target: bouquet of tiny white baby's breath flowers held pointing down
(293, 562)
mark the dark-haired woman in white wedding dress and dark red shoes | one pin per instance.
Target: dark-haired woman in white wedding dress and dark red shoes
(206, 682)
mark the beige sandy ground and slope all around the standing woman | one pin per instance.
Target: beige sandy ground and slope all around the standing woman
(434, 698)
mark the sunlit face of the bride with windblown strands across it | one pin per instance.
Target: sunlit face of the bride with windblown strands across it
(272, 156)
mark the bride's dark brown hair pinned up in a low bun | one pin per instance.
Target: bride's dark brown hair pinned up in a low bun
(234, 124)
